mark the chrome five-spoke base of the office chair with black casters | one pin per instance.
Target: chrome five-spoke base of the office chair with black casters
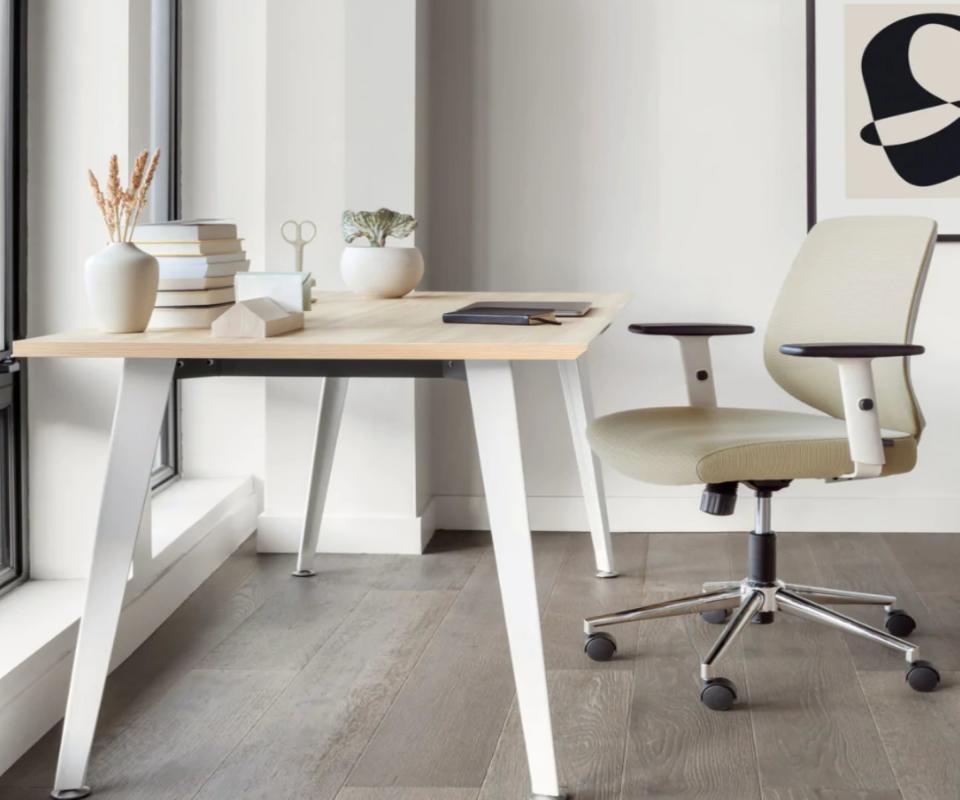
(747, 600)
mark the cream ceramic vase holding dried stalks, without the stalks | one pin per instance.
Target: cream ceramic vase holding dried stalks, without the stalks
(122, 287)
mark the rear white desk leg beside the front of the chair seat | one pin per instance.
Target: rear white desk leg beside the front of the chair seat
(579, 400)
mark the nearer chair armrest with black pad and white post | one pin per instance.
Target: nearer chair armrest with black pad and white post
(855, 364)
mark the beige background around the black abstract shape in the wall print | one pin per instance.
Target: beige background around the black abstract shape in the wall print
(869, 173)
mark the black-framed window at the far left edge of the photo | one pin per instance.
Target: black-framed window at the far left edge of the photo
(13, 556)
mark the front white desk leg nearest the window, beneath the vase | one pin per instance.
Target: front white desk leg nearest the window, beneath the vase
(144, 389)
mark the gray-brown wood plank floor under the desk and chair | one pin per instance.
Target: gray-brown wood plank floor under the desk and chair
(388, 678)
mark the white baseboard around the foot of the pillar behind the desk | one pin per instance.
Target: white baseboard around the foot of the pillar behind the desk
(280, 533)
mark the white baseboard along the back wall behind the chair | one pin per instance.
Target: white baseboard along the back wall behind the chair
(652, 514)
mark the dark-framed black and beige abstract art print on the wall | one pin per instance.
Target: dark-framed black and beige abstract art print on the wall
(883, 110)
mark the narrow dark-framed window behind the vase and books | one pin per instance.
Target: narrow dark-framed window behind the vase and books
(165, 194)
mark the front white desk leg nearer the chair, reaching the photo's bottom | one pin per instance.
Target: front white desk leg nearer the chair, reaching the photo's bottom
(498, 441)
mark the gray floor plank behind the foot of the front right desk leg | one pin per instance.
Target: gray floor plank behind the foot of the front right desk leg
(589, 709)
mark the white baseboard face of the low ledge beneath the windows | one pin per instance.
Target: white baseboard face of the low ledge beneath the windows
(36, 704)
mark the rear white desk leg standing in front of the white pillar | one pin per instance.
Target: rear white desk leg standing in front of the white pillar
(329, 413)
